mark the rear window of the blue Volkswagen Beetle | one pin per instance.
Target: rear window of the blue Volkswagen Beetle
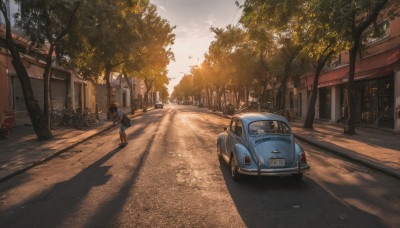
(268, 127)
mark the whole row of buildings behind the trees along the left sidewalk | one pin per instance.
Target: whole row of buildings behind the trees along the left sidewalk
(68, 90)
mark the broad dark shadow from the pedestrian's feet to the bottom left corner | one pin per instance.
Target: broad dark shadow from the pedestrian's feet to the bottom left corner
(54, 205)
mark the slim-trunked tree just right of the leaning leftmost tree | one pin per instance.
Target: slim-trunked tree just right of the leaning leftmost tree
(46, 22)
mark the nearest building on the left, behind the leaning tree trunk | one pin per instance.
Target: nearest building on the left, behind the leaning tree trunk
(11, 95)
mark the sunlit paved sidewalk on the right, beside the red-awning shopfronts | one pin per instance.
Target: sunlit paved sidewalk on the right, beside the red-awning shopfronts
(374, 148)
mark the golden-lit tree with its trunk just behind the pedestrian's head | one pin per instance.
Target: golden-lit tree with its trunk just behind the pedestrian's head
(99, 44)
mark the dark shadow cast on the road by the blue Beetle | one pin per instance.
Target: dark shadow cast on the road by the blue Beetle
(278, 202)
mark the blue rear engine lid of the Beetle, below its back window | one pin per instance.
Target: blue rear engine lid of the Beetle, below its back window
(273, 147)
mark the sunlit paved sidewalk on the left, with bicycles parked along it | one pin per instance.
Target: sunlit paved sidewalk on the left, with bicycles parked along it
(22, 151)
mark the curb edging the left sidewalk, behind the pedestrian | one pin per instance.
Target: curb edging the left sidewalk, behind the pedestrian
(106, 127)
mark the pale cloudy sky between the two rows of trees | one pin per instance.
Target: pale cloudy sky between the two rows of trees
(193, 19)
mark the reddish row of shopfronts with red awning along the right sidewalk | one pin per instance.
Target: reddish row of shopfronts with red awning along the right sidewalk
(377, 84)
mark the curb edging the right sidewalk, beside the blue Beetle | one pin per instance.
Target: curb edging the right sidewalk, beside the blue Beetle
(349, 155)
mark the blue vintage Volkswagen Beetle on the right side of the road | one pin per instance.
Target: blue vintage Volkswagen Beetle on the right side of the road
(261, 144)
